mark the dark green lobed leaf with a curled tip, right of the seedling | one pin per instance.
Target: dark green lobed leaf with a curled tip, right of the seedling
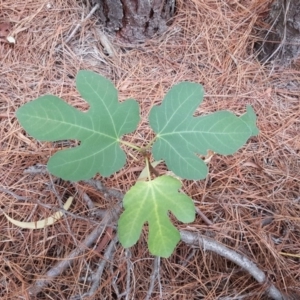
(181, 137)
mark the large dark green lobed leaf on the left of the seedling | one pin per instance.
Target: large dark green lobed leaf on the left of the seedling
(49, 118)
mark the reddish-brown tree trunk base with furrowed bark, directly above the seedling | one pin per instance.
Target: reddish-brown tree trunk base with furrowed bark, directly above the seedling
(136, 20)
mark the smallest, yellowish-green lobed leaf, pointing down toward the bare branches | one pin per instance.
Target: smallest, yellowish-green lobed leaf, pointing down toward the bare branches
(150, 202)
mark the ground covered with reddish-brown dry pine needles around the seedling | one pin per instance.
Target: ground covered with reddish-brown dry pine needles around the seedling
(209, 42)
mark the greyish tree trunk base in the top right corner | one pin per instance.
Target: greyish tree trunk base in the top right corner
(282, 40)
